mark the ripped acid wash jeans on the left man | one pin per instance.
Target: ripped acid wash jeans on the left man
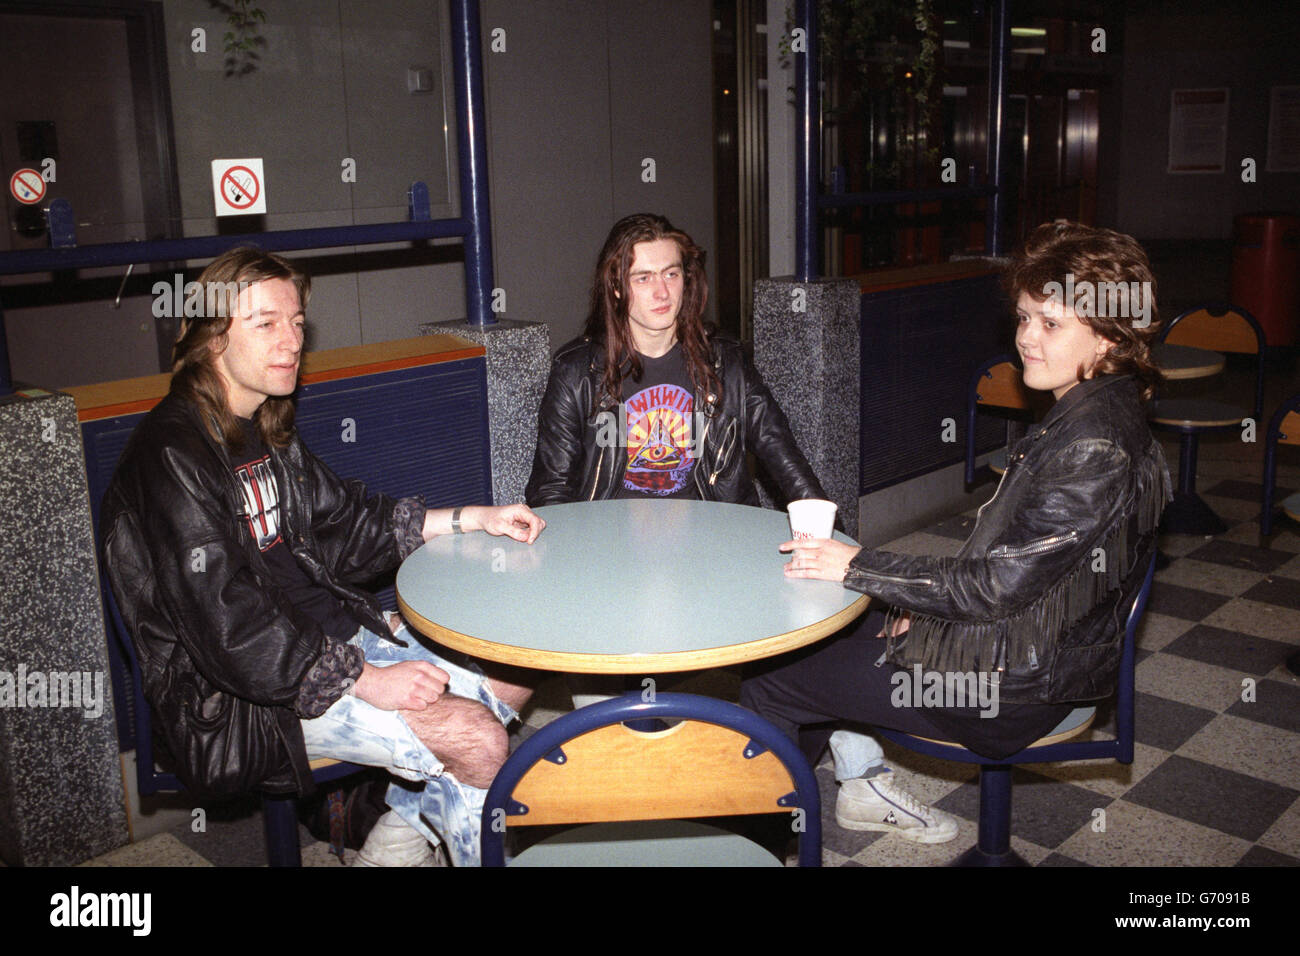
(427, 797)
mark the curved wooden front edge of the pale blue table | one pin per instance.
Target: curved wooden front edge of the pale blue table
(574, 663)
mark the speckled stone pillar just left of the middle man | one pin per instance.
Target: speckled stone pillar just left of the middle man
(519, 362)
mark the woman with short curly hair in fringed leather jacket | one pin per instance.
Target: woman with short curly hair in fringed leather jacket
(1033, 607)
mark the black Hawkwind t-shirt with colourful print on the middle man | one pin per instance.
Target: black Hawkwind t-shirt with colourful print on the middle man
(658, 442)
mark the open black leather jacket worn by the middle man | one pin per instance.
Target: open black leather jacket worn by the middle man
(571, 465)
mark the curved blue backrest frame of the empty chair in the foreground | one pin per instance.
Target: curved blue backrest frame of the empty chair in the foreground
(548, 745)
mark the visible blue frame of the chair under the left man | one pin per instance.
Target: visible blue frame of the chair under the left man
(279, 811)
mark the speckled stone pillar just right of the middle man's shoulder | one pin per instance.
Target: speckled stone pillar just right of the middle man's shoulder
(807, 347)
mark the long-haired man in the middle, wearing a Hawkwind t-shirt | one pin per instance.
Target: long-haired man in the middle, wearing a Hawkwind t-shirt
(649, 403)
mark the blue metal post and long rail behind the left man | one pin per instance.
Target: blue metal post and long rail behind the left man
(474, 226)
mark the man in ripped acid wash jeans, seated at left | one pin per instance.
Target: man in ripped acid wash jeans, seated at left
(236, 557)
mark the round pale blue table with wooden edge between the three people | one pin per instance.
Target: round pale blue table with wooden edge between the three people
(623, 587)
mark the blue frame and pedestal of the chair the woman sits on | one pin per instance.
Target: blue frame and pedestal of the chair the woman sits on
(994, 847)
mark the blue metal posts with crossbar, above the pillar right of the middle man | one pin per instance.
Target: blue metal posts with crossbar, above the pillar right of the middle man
(808, 148)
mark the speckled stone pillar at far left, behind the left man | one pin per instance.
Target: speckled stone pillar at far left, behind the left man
(62, 795)
